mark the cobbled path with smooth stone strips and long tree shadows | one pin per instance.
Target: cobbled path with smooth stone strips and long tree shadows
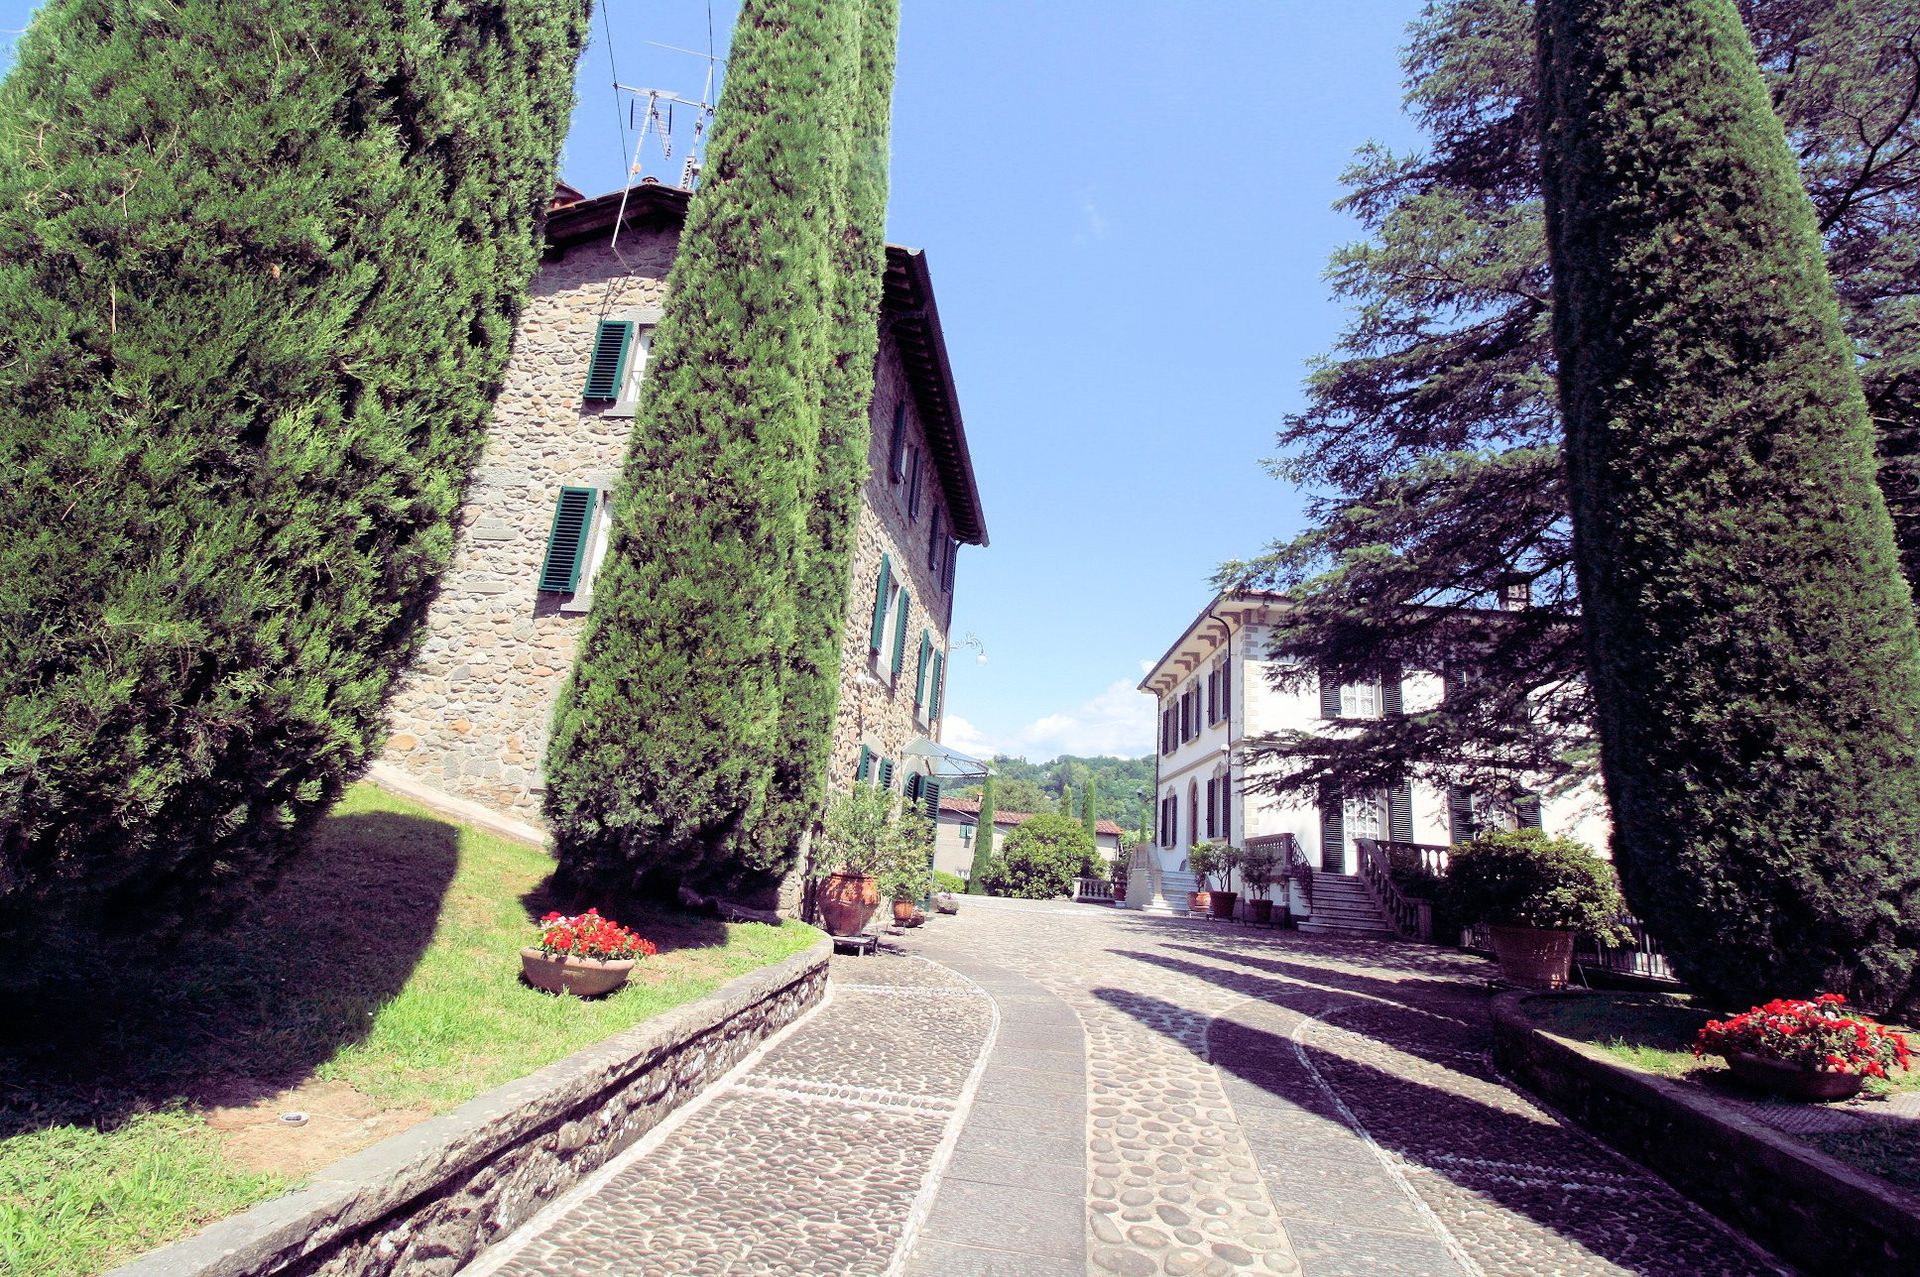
(1057, 1092)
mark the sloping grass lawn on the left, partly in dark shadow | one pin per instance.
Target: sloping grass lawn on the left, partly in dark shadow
(375, 986)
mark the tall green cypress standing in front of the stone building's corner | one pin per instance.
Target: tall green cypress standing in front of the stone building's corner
(669, 738)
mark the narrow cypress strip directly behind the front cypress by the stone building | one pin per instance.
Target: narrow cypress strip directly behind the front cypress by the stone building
(825, 577)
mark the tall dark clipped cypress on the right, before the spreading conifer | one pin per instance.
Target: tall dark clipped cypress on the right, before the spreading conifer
(1750, 635)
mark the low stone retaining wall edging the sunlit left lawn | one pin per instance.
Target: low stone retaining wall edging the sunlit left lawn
(433, 1197)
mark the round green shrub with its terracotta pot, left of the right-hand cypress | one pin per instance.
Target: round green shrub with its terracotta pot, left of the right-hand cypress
(1535, 894)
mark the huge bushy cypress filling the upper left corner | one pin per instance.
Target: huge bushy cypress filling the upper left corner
(260, 268)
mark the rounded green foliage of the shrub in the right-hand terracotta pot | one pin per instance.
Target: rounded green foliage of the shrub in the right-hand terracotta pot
(1525, 879)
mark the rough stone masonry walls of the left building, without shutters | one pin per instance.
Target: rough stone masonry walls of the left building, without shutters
(473, 713)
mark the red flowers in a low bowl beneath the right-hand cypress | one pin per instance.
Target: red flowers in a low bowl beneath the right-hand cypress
(1808, 1051)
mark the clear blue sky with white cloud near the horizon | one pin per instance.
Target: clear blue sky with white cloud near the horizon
(1126, 212)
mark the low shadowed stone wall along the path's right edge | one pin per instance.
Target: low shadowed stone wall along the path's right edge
(1810, 1209)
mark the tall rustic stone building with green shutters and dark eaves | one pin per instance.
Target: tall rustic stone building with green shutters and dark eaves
(471, 717)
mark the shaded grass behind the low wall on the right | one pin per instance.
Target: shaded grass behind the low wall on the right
(1656, 1032)
